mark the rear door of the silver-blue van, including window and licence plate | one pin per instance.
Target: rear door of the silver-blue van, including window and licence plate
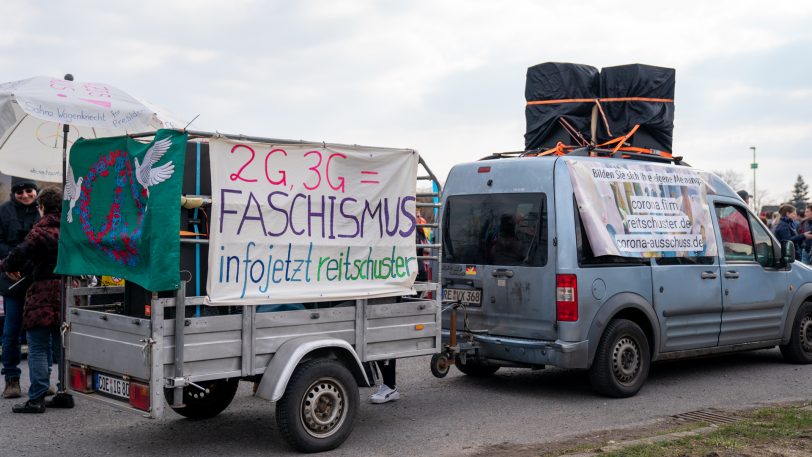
(495, 248)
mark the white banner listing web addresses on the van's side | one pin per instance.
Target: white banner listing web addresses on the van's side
(643, 210)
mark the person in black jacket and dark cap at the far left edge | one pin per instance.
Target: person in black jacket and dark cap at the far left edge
(17, 216)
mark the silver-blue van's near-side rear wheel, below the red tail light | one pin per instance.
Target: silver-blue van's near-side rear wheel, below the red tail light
(622, 361)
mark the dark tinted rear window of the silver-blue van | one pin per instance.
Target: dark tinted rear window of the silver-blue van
(495, 229)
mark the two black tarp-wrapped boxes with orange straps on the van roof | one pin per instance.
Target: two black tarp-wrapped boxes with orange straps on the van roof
(568, 91)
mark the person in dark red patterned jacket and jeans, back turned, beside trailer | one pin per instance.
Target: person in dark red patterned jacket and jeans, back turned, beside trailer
(41, 313)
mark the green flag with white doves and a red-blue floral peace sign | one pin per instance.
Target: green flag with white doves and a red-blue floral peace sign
(121, 214)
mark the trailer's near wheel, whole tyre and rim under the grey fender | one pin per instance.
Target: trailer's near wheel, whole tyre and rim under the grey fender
(318, 409)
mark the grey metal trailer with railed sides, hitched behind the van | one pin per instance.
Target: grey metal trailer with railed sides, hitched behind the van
(121, 343)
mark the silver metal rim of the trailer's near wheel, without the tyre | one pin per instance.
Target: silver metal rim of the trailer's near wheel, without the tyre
(323, 408)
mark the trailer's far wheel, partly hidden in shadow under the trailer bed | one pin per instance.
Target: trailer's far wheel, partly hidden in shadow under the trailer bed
(206, 404)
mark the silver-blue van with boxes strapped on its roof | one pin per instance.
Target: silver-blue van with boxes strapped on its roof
(609, 264)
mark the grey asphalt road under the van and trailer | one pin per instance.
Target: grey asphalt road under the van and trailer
(454, 416)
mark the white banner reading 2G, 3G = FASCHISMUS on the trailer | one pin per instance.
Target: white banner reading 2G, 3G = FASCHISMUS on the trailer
(301, 223)
